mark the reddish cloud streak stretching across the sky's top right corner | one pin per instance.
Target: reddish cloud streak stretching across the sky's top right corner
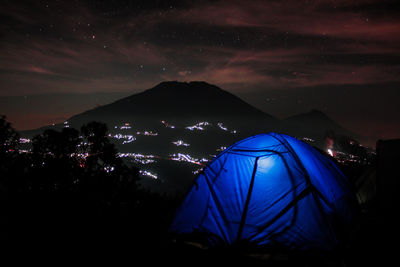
(321, 18)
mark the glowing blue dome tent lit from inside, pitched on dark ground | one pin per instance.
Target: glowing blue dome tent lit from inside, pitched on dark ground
(269, 190)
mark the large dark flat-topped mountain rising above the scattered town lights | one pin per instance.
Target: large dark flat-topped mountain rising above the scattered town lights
(176, 101)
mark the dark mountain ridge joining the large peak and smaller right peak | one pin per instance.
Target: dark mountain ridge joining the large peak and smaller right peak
(190, 102)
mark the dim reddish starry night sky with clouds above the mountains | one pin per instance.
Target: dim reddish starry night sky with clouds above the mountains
(284, 57)
